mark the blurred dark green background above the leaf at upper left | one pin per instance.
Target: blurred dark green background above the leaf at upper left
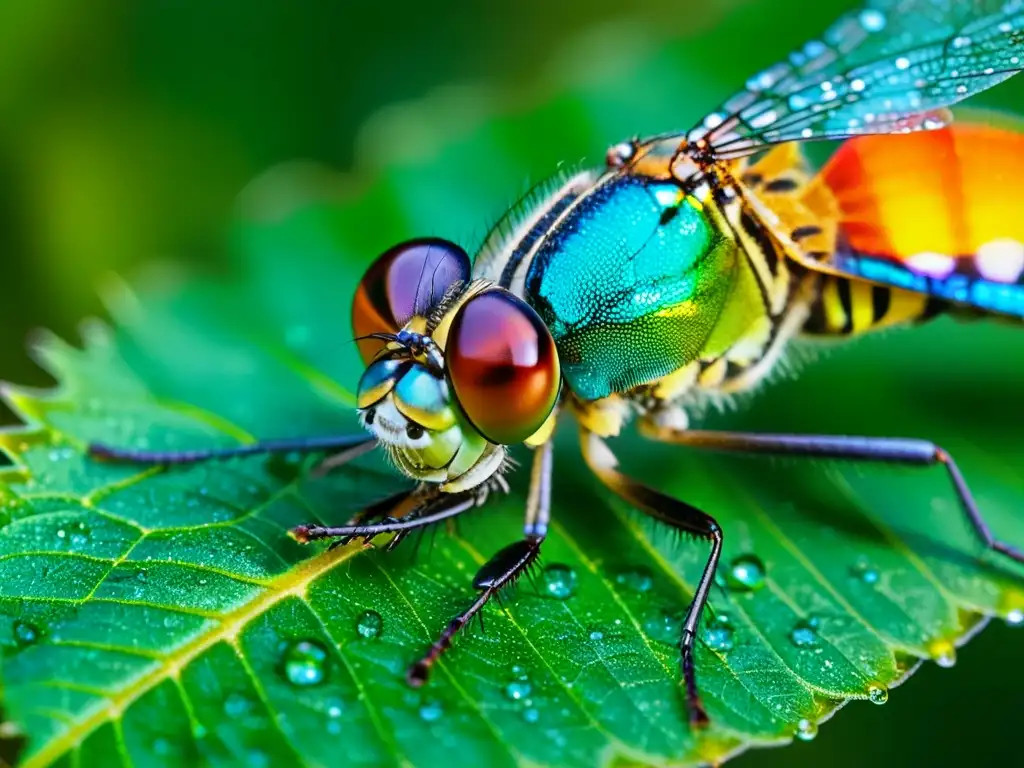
(127, 129)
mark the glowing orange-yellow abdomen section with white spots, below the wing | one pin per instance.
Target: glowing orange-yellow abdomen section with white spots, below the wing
(935, 201)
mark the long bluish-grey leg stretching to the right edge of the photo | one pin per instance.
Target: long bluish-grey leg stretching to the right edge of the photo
(890, 450)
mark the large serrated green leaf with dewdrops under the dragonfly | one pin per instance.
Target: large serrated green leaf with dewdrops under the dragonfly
(164, 616)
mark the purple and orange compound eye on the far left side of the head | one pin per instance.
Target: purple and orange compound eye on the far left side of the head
(408, 280)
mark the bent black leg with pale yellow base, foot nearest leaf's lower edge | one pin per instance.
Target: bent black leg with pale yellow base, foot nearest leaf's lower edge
(682, 518)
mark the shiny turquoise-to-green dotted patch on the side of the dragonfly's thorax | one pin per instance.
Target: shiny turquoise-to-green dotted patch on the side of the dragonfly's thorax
(632, 283)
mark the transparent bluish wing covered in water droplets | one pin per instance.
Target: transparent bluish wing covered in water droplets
(891, 67)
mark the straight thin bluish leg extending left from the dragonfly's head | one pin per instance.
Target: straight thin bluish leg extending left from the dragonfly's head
(352, 445)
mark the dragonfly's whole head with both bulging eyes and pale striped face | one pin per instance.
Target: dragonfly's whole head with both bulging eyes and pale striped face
(457, 370)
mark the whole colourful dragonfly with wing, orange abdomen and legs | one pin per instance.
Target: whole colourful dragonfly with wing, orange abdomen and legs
(679, 272)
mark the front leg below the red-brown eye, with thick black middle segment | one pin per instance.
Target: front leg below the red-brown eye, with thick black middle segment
(504, 569)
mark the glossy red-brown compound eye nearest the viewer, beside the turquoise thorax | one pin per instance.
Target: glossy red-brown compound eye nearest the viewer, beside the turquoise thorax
(503, 366)
